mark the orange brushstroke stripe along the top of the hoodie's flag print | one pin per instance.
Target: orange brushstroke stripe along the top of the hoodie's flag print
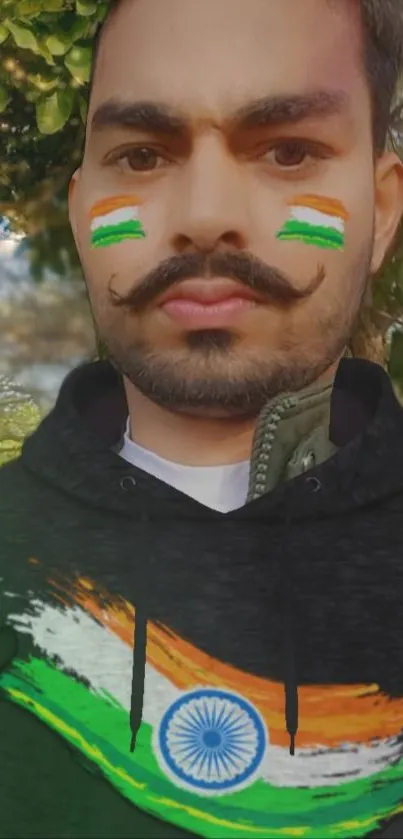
(330, 715)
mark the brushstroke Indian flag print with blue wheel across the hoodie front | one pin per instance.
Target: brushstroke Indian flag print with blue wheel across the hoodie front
(212, 754)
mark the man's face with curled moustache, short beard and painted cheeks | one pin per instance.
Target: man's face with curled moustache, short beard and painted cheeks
(269, 104)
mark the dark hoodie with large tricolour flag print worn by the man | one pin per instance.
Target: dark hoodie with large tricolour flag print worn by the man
(168, 670)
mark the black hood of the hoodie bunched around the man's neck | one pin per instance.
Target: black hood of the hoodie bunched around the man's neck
(76, 447)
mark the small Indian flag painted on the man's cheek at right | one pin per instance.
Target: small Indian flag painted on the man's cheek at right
(316, 220)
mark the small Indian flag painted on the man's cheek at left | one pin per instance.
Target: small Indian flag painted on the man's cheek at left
(115, 219)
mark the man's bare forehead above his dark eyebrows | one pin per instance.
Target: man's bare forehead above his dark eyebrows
(213, 56)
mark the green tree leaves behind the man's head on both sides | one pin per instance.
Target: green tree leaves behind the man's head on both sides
(45, 62)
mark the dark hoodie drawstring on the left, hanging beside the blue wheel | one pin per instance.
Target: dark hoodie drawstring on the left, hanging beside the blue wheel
(140, 645)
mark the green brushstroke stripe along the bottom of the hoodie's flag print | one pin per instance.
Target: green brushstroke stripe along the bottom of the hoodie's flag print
(99, 728)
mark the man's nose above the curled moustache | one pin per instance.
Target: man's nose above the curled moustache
(210, 207)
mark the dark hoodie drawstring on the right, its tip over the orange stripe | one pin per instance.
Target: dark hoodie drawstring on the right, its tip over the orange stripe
(290, 669)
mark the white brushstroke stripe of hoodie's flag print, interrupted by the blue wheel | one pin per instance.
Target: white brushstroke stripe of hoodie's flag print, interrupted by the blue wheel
(90, 650)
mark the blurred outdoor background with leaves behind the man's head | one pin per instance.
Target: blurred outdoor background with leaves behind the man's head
(46, 326)
